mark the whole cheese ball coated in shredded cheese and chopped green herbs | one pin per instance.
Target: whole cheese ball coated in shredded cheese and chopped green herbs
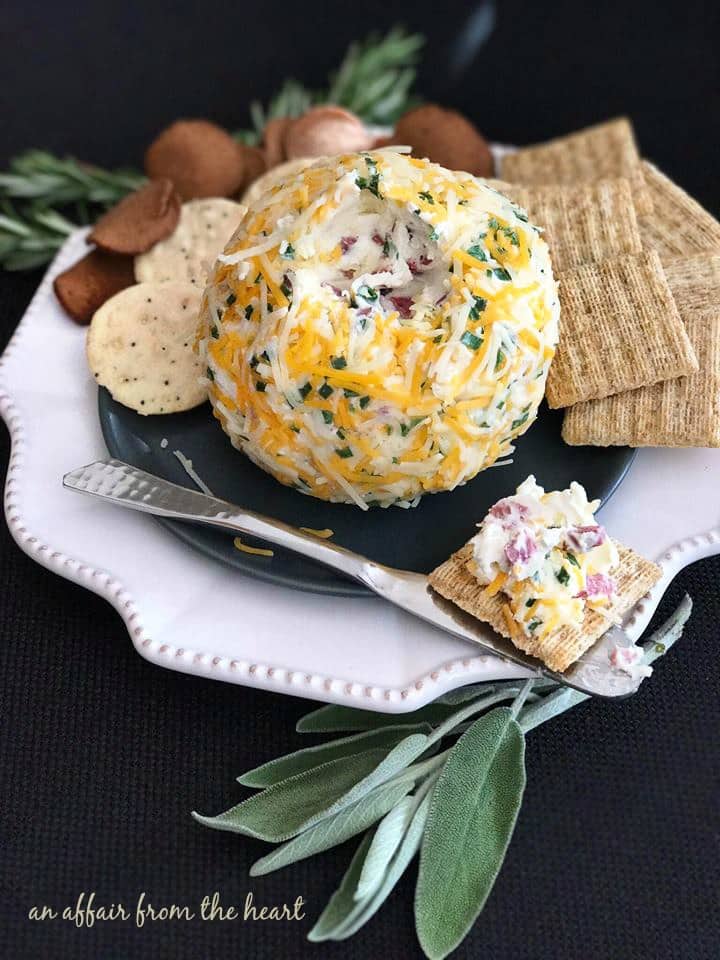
(378, 328)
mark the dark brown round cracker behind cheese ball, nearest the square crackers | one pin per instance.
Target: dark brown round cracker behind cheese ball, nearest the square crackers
(445, 137)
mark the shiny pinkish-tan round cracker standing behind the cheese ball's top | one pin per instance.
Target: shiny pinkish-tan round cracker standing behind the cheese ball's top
(325, 131)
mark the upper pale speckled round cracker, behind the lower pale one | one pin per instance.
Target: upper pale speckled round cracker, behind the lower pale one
(205, 226)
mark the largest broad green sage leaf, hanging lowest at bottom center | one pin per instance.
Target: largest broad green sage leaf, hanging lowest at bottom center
(472, 817)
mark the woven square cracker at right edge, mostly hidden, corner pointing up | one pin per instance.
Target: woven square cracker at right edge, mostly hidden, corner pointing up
(678, 225)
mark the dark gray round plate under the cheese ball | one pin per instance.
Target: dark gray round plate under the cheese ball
(416, 539)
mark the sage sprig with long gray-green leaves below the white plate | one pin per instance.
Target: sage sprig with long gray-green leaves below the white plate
(391, 778)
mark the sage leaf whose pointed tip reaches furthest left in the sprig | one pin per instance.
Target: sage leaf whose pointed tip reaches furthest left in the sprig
(288, 807)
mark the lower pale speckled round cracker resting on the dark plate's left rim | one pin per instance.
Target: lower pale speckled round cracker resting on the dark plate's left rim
(140, 346)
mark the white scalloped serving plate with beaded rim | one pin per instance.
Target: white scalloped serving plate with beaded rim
(189, 613)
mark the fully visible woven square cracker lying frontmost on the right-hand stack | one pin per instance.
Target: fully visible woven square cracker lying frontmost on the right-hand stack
(619, 329)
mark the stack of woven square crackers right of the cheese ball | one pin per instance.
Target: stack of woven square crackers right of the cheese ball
(638, 265)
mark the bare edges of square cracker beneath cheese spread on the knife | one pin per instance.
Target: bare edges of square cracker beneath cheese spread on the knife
(634, 578)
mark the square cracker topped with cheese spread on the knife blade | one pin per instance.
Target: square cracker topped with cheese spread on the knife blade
(544, 573)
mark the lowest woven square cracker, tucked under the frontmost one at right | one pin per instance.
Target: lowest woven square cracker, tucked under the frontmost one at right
(676, 413)
